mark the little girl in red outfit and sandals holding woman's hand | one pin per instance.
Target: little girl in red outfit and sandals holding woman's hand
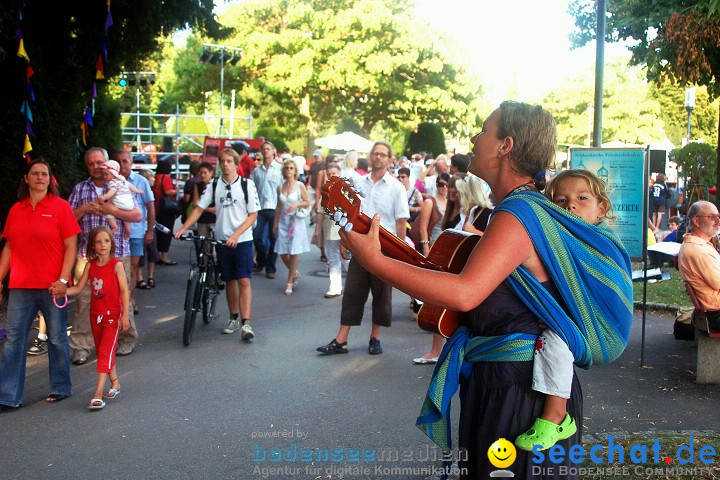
(108, 309)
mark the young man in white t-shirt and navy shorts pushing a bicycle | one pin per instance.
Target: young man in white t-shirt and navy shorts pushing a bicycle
(237, 205)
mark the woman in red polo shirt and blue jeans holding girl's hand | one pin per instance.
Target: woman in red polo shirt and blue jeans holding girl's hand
(41, 233)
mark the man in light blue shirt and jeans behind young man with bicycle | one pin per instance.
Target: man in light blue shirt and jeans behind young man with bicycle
(267, 178)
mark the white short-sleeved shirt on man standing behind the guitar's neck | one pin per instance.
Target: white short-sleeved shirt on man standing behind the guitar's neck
(387, 197)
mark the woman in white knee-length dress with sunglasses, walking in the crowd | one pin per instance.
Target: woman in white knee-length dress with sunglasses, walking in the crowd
(289, 229)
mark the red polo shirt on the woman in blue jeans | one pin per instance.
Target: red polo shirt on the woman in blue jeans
(36, 238)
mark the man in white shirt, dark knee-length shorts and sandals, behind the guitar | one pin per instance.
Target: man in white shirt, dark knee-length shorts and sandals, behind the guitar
(382, 194)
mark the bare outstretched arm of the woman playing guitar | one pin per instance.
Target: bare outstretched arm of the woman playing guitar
(504, 247)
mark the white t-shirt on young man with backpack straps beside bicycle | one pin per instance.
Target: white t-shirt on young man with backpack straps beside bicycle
(231, 208)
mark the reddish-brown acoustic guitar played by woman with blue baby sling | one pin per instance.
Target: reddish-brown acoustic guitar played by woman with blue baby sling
(448, 254)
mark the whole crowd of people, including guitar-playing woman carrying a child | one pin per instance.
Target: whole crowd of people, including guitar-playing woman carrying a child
(514, 285)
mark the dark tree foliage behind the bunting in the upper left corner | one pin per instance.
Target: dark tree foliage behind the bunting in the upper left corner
(63, 40)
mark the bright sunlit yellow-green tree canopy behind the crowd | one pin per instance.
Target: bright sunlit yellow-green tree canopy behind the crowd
(317, 62)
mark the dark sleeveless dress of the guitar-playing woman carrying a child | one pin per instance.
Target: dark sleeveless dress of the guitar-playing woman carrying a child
(497, 400)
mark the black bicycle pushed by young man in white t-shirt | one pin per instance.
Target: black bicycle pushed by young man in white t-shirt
(203, 286)
